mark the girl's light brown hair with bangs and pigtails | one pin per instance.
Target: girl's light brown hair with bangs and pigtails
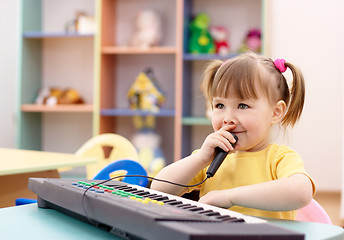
(245, 74)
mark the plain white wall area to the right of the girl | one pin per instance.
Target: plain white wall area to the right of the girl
(308, 34)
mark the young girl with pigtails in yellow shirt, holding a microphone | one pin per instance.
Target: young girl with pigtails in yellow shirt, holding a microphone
(248, 95)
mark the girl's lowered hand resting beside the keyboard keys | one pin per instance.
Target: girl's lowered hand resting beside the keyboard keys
(218, 198)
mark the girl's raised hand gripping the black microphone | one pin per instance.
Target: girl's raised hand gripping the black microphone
(221, 138)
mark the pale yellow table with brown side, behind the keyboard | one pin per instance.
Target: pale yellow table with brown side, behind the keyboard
(18, 165)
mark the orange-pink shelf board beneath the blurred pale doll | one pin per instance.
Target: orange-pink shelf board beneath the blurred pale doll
(136, 50)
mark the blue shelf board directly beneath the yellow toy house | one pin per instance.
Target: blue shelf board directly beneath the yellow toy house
(129, 112)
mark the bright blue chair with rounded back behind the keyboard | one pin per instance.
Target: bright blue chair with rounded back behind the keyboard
(131, 167)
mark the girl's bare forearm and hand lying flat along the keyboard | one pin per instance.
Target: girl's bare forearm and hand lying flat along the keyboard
(284, 194)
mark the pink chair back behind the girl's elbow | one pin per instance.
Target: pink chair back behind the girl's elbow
(313, 212)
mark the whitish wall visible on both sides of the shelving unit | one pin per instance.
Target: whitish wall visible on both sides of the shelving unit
(310, 37)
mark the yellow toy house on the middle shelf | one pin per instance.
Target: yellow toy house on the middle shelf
(145, 94)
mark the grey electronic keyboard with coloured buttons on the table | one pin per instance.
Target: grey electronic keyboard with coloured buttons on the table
(134, 212)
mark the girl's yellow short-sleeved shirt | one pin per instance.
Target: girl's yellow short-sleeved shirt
(247, 168)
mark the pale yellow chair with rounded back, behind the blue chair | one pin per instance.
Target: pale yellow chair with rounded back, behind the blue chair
(120, 148)
